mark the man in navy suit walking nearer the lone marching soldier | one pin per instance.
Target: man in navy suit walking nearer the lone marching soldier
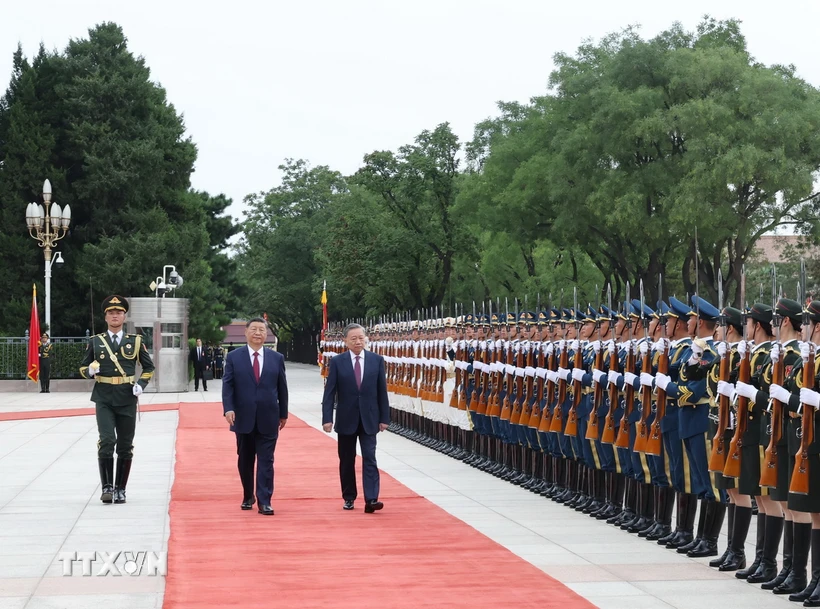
(255, 403)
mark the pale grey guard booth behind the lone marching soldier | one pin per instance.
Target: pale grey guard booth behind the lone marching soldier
(163, 325)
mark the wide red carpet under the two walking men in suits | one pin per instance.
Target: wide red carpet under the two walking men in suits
(312, 553)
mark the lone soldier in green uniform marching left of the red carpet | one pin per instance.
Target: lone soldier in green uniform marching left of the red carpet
(111, 359)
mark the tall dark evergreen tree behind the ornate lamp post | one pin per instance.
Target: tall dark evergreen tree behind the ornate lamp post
(92, 121)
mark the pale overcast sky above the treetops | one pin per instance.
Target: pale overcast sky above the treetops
(332, 80)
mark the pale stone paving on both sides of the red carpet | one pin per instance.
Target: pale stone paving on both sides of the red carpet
(49, 490)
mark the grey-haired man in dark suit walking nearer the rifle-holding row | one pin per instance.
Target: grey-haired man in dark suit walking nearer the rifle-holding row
(356, 384)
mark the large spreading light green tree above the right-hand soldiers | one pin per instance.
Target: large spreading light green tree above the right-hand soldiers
(642, 142)
